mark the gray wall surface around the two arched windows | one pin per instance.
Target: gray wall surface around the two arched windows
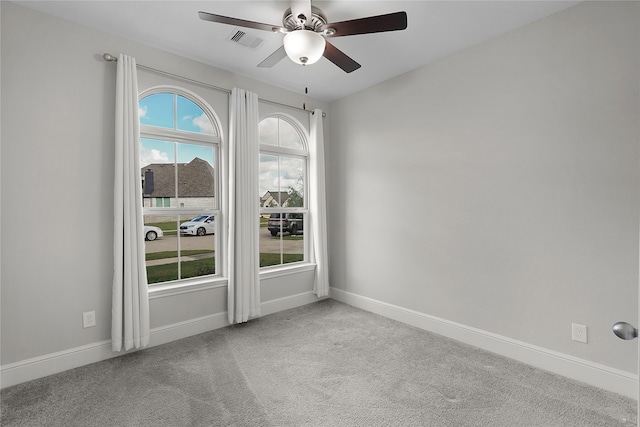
(57, 180)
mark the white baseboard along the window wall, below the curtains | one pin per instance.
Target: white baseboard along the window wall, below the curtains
(49, 364)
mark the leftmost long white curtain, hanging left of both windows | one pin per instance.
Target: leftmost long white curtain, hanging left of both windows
(130, 303)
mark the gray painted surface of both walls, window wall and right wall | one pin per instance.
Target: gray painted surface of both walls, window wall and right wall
(498, 187)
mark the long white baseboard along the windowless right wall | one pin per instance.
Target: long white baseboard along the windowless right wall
(594, 374)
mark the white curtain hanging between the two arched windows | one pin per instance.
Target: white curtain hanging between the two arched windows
(244, 278)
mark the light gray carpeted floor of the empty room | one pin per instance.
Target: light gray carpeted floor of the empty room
(324, 364)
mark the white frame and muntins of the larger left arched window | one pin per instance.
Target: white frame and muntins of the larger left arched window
(175, 136)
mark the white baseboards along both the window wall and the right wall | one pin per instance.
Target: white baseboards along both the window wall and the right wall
(578, 369)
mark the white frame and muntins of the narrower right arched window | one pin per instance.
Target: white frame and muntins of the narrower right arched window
(303, 154)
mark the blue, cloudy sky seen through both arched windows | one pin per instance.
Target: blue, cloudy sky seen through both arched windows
(166, 110)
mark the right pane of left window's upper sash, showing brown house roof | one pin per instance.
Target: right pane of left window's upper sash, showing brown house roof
(196, 187)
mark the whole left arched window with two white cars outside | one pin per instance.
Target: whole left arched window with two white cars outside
(179, 163)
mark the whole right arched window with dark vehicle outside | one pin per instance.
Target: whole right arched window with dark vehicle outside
(283, 188)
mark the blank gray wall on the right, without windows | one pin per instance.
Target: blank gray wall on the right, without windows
(498, 188)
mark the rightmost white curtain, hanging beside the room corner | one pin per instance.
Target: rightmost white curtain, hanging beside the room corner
(318, 206)
